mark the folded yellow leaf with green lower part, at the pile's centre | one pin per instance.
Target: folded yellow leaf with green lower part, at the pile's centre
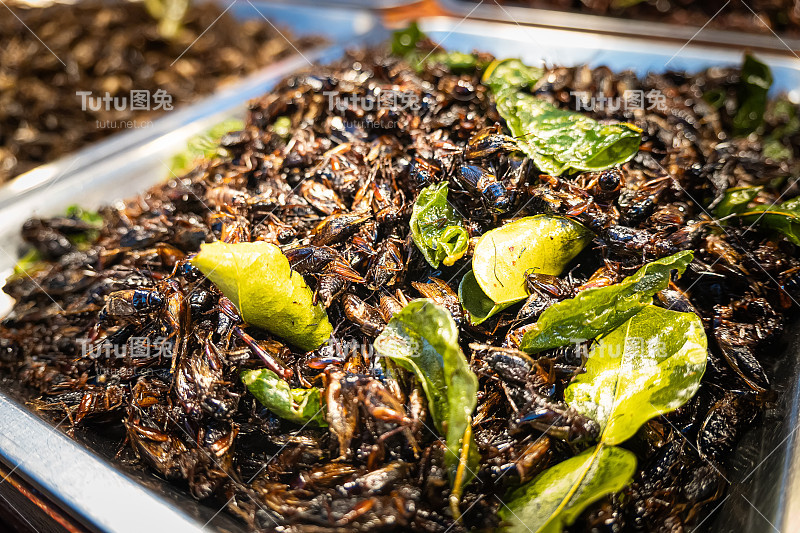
(544, 244)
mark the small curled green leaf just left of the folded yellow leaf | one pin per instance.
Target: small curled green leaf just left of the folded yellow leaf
(436, 228)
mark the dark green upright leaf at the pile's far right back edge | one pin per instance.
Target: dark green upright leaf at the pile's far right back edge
(752, 95)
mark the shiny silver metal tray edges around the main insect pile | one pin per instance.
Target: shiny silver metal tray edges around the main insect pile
(765, 468)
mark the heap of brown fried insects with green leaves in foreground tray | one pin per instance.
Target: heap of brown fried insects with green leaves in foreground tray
(421, 291)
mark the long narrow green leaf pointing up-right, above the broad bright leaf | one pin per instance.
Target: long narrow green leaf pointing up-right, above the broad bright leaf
(594, 312)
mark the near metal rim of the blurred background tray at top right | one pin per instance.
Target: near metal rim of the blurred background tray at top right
(515, 14)
